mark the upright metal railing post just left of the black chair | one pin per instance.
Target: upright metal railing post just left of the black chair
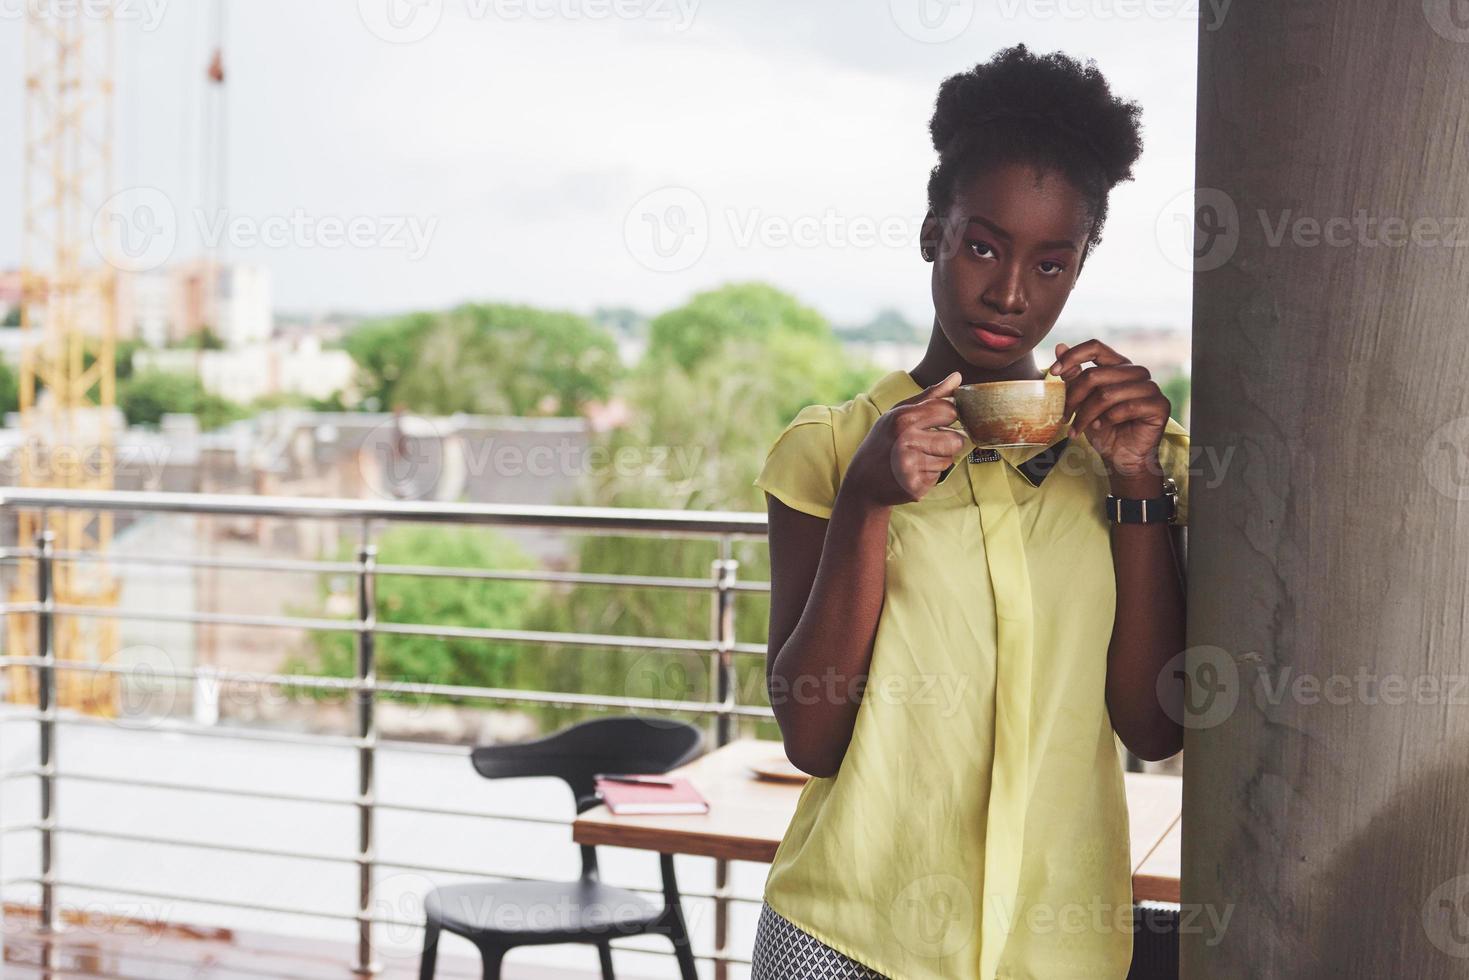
(367, 697)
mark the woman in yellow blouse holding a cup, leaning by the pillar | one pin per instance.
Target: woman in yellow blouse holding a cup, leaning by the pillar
(954, 637)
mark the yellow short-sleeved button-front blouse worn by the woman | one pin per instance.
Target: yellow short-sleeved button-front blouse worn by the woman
(978, 826)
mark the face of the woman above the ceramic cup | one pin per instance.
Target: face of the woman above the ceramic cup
(1008, 256)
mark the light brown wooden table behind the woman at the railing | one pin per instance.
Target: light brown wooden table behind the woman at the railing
(750, 816)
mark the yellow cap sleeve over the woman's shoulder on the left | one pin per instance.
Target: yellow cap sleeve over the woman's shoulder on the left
(806, 464)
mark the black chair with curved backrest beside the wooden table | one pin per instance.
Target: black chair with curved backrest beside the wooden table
(500, 916)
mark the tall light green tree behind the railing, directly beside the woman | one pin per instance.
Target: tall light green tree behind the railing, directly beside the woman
(704, 411)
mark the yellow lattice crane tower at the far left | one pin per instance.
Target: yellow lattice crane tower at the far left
(68, 315)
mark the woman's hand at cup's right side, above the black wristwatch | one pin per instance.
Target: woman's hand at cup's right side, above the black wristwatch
(1120, 408)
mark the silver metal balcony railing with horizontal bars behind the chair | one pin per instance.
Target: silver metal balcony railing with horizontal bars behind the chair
(365, 687)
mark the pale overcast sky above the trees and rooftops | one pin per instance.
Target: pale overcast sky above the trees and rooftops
(393, 155)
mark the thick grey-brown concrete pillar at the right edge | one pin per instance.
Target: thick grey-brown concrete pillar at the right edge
(1327, 762)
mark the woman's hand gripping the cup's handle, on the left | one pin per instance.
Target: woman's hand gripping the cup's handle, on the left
(907, 449)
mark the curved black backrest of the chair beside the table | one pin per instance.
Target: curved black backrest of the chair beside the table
(621, 744)
